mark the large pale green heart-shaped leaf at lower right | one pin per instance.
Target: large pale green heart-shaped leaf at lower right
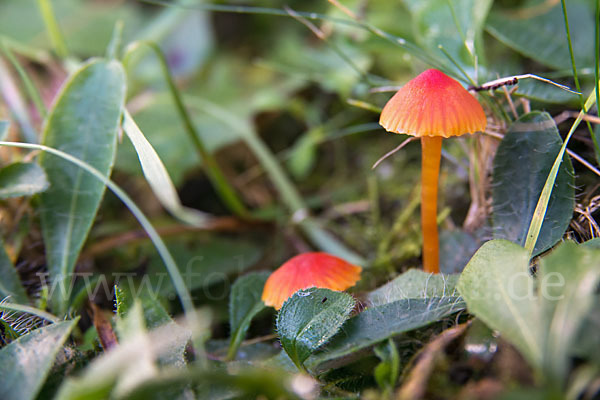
(542, 317)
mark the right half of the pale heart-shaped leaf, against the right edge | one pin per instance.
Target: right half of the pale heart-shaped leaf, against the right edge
(568, 280)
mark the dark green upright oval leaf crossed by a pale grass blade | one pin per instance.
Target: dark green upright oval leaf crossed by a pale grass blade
(521, 166)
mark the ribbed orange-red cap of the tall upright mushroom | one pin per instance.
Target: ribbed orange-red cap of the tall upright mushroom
(433, 104)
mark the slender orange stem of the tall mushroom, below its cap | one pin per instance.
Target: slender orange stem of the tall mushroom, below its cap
(431, 153)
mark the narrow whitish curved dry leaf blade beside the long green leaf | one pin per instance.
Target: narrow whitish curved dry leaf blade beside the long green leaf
(157, 176)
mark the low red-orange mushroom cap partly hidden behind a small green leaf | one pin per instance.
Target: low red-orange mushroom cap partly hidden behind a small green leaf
(308, 270)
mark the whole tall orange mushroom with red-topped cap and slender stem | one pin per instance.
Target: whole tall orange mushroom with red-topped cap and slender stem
(432, 106)
